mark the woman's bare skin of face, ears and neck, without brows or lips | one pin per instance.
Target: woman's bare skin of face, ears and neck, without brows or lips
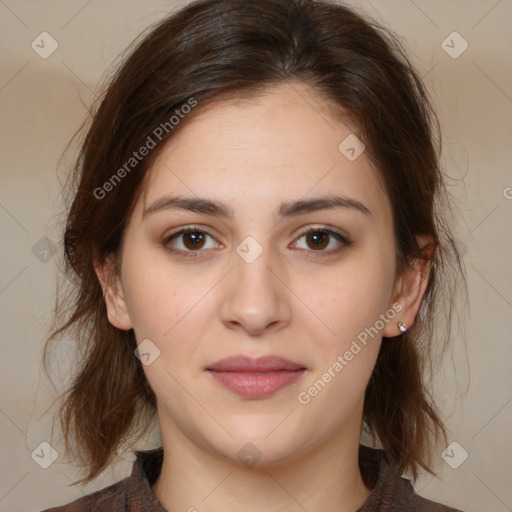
(294, 300)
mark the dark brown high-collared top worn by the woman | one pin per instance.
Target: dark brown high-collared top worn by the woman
(390, 492)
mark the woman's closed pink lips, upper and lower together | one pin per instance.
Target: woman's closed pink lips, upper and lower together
(256, 378)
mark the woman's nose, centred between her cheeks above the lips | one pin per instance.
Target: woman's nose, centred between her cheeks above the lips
(255, 298)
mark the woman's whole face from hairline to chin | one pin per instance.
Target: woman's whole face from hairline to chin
(268, 268)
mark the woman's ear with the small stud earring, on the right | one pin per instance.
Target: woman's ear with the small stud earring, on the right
(410, 287)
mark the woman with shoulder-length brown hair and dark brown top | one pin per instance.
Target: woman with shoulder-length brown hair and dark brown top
(258, 255)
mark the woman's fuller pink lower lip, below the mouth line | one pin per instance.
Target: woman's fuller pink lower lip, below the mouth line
(257, 384)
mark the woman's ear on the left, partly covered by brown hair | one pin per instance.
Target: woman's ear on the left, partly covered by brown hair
(113, 293)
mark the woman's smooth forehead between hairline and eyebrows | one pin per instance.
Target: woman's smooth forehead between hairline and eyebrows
(279, 145)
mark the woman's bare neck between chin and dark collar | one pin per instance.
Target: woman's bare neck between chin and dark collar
(326, 479)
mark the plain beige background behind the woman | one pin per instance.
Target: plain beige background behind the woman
(43, 102)
